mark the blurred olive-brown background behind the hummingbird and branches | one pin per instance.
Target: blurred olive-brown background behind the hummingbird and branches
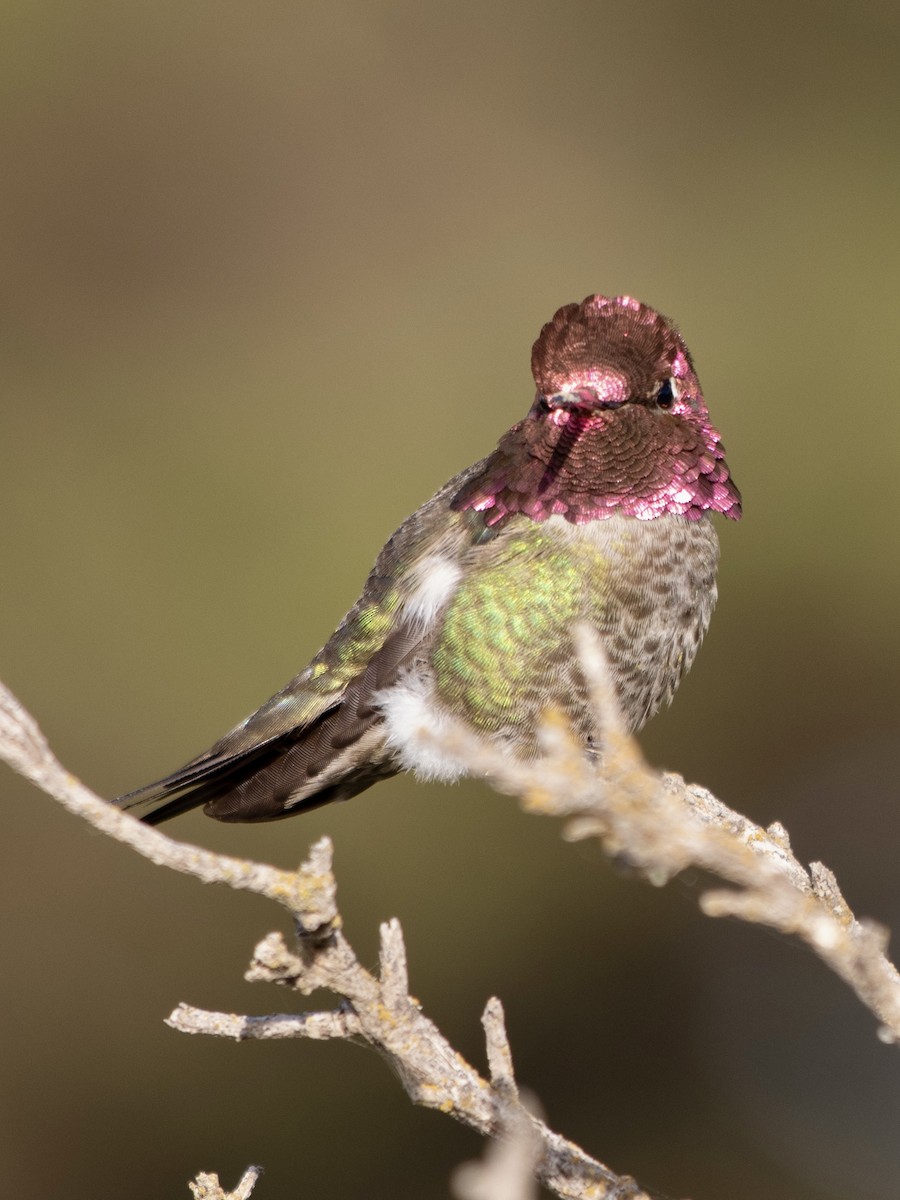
(271, 274)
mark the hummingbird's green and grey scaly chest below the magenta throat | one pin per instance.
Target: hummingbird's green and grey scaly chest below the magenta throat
(503, 647)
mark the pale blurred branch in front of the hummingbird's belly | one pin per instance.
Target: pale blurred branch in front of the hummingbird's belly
(661, 826)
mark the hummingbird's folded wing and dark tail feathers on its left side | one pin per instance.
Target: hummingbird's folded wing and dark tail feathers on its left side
(321, 737)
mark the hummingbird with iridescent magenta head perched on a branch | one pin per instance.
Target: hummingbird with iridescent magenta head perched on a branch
(595, 509)
